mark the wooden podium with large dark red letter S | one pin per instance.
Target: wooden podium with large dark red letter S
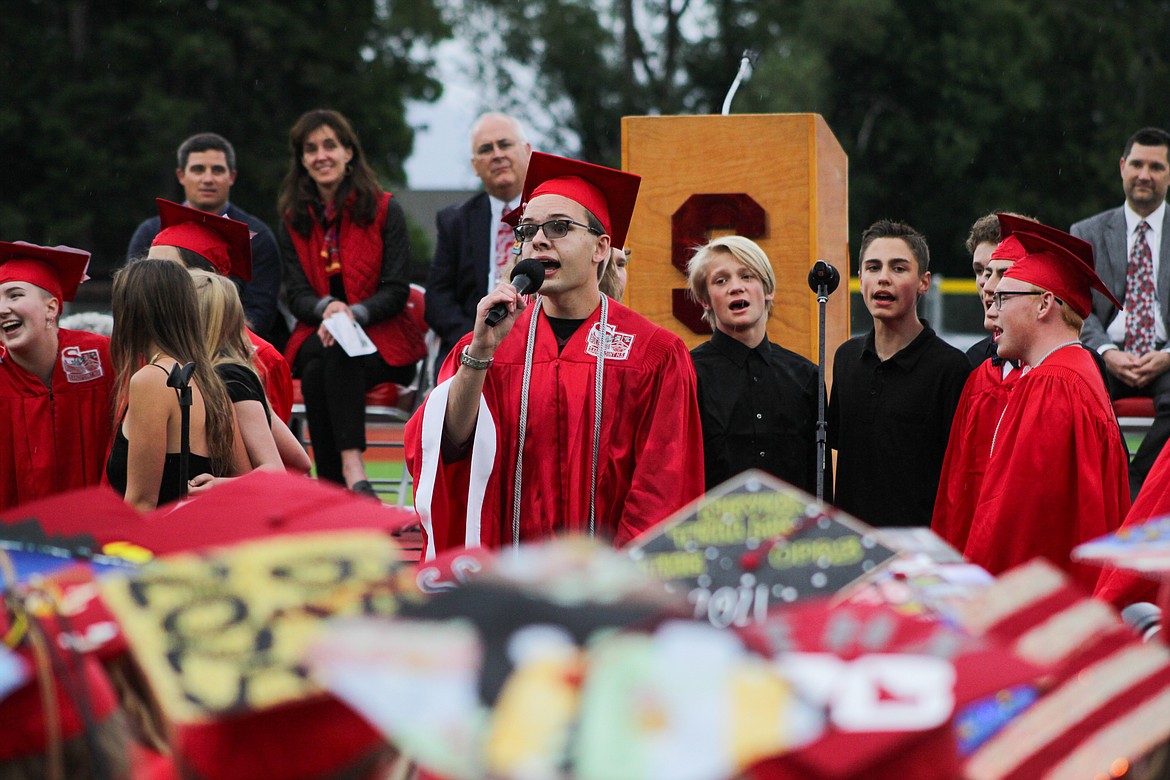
(779, 180)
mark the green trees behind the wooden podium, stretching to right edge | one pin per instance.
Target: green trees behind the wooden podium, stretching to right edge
(947, 109)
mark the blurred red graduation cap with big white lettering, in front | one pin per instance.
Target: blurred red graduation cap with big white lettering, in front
(892, 687)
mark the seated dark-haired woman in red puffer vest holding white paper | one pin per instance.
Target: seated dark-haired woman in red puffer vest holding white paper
(346, 252)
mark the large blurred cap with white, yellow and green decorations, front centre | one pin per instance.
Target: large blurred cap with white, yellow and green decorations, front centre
(562, 661)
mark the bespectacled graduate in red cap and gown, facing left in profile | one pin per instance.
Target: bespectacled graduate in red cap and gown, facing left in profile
(1057, 474)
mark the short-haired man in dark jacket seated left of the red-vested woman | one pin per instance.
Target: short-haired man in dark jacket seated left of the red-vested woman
(207, 172)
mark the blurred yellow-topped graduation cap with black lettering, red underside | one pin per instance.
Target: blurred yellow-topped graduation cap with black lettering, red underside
(221, 636)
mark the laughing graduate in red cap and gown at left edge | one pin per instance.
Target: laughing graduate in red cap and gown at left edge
(54, 383)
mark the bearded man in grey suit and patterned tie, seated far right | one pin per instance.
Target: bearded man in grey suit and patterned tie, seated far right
(1132, 251)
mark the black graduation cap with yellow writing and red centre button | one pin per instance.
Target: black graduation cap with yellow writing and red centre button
(756, 542)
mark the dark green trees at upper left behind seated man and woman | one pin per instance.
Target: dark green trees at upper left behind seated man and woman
(99, 95)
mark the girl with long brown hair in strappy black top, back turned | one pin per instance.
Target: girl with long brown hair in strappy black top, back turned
(156, 327)
